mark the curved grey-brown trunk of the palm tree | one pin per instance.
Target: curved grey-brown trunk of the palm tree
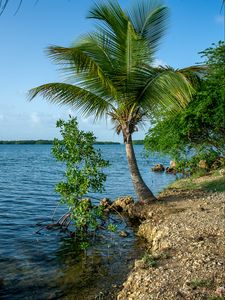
(143, 192)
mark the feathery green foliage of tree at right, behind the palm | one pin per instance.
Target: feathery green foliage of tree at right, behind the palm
(199, 130)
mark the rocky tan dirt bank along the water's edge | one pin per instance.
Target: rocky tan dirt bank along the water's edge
(185, 241)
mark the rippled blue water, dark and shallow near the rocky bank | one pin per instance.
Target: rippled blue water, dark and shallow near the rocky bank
(48, 265)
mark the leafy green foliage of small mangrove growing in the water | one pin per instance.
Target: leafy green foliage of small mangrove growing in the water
(83, 173)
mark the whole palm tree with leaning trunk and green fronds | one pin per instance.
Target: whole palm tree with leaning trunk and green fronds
(111, 73)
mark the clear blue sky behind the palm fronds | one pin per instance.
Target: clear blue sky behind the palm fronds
(193, 26)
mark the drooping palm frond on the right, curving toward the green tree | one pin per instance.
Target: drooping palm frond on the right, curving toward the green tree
(163, 86)
